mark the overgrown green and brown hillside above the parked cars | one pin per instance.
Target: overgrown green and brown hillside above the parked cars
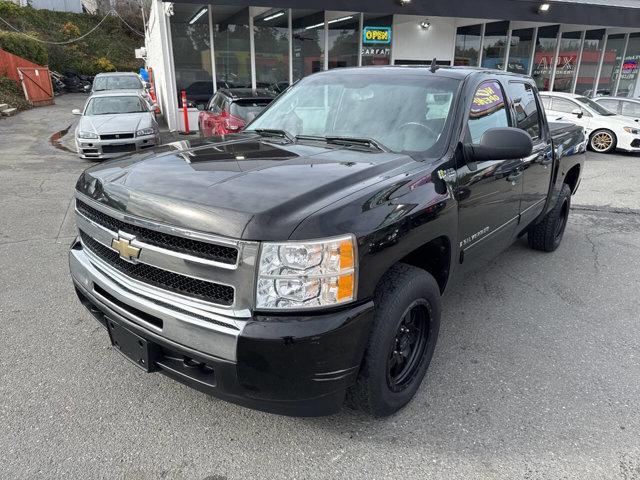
(112, 42)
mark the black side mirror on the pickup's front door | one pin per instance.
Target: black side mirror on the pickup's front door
(503, 143)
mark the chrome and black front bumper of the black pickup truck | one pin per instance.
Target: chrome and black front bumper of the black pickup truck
(292, 365)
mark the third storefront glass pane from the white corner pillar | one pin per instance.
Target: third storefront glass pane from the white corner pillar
(271, 41)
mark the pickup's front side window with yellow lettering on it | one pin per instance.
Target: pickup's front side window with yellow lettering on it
(488, 110)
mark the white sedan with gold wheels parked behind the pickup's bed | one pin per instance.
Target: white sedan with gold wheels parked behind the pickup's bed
(607, 131)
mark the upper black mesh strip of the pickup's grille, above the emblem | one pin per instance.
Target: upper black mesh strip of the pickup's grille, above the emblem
(218, 253)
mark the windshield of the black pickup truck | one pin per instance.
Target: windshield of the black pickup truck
(404, 112)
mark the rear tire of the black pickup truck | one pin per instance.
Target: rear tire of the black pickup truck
(547, 234)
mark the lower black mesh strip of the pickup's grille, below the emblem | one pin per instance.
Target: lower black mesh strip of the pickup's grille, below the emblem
(213, 292)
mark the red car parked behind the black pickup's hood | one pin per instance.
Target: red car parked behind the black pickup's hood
(229, 110)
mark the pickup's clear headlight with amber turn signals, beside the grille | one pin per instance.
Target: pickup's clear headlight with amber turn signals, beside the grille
(295, 275)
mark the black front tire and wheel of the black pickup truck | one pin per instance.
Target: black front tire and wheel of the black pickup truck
(406, 297)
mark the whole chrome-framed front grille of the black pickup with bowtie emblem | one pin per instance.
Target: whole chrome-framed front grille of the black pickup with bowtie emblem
(169, 268)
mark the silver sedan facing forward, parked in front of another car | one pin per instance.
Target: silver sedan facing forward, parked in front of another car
(115, 122)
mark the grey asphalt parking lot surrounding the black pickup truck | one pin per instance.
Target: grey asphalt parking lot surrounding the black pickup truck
(536, 374)
